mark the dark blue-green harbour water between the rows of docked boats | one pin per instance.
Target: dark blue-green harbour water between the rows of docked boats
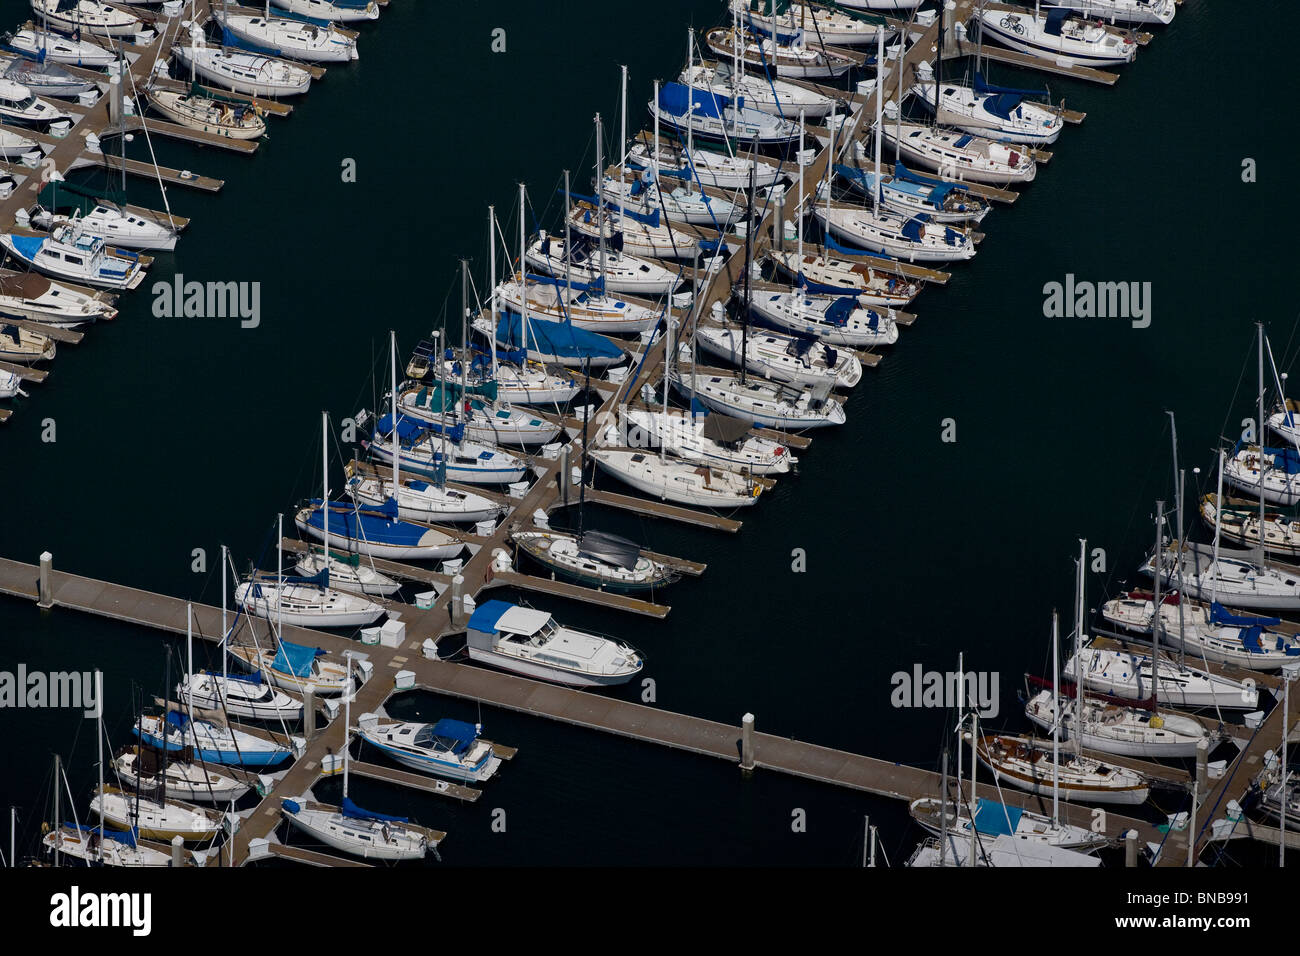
(176, 434)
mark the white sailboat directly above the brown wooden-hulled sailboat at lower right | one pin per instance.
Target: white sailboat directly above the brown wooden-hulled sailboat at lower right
(1107, 726)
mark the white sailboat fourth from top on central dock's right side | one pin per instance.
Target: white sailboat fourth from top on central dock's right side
(964, 157)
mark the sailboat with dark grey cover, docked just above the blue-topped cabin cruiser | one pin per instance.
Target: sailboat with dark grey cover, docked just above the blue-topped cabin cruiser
(596, 560)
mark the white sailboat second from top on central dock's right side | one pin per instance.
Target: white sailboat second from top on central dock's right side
(1058, 36)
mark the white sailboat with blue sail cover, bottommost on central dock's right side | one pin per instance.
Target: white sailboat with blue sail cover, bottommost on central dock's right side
(353, 829)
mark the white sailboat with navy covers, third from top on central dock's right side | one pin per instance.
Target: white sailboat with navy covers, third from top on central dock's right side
(996, 113)
